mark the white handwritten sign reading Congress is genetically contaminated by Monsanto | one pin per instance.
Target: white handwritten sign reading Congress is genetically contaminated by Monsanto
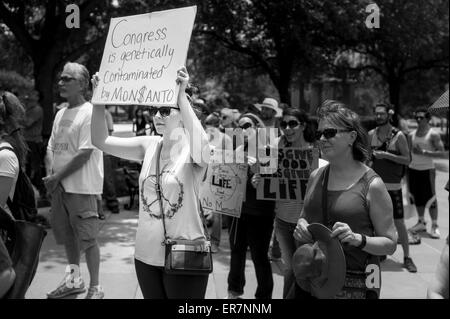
(141, 57)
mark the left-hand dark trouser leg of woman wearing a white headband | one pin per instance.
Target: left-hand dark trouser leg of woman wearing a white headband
(238, 245)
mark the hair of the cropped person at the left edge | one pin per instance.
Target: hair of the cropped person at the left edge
(11, 112)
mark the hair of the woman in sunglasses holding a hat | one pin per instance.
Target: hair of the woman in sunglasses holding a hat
(337, 113)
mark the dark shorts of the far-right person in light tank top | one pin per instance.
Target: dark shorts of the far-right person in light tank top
(421, 185)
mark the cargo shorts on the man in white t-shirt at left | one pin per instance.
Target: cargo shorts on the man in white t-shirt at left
(74, 217)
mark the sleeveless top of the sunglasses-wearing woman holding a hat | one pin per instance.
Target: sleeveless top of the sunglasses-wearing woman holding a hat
(347, 206)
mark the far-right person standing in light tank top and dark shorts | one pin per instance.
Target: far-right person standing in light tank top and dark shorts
(425, 144)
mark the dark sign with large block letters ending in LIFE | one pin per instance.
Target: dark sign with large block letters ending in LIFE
(290, 181)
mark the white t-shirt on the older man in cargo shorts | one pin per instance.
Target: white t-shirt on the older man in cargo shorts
(72, 132)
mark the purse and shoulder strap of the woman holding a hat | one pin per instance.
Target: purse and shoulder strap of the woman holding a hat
(355, 281)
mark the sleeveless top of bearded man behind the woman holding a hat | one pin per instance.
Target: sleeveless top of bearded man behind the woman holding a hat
(390, 172)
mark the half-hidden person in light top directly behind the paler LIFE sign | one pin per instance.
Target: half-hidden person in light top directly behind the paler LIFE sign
(221, 141)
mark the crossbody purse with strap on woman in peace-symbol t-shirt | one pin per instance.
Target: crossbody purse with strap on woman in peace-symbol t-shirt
(183, 256)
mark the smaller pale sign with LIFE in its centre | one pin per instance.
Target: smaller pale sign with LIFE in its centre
(224, 188)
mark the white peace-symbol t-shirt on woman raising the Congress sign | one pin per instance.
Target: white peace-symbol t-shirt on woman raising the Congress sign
(180, 183)
